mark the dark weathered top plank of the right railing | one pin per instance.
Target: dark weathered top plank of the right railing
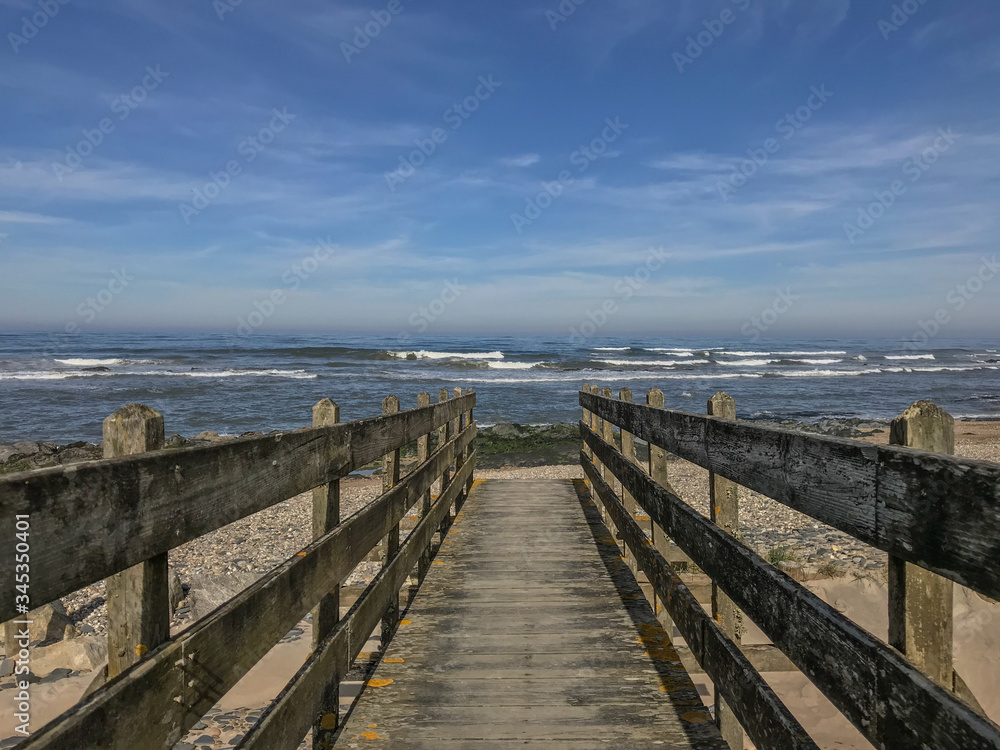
(939, 512)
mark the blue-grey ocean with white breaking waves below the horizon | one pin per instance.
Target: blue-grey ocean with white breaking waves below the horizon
(60, 388)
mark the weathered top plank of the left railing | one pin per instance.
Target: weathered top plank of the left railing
(94, 519)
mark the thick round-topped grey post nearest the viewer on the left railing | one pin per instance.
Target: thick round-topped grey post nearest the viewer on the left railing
(139, 597)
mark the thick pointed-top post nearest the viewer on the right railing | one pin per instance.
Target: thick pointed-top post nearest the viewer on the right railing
(920, 602)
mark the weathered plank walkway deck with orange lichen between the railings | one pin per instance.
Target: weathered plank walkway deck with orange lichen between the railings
(530, 631)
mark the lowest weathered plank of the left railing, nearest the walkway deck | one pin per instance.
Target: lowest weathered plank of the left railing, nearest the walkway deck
(288, 718)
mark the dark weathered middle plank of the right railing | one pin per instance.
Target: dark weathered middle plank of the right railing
(890, 701)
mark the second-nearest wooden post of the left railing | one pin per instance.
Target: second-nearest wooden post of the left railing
(326, 516)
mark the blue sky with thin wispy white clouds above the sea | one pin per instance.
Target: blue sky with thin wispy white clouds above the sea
(635, 167)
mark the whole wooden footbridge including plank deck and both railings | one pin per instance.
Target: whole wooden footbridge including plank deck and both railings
(545, 608)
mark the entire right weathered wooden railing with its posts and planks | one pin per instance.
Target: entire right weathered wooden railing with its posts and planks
(937, 516)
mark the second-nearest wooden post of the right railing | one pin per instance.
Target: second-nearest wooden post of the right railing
(724, 507)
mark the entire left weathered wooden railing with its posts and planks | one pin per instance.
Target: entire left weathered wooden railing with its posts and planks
(120, 516)
